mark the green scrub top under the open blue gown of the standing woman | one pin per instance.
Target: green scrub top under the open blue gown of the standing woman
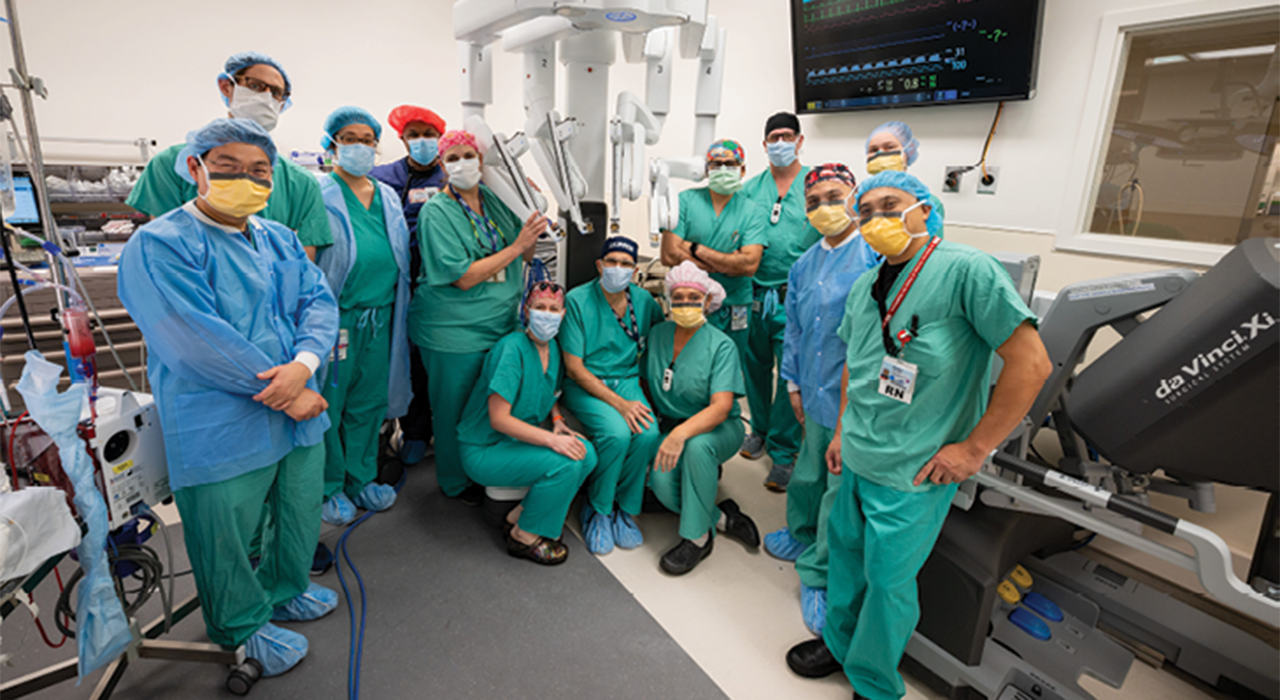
(372, 281)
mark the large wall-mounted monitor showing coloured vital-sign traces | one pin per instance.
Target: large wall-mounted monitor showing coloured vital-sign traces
(877, 54)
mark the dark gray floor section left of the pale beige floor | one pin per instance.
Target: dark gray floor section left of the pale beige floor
(450, 616)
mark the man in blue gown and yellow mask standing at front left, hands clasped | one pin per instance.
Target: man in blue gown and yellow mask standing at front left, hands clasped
(236, 321)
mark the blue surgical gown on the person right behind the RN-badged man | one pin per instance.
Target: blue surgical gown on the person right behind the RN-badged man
(813, 355)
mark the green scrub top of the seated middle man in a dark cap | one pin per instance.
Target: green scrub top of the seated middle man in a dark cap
(610, 354)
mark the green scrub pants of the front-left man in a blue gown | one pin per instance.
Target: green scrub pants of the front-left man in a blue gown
(218, 524)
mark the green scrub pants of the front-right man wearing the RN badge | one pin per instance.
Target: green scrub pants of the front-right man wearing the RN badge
(880, 539)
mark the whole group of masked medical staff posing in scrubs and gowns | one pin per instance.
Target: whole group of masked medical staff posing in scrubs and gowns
(290, 315)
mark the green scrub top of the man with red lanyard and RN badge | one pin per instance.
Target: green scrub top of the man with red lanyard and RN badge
(967, 308)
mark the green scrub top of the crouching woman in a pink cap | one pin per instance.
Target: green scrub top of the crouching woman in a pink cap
(708, 365)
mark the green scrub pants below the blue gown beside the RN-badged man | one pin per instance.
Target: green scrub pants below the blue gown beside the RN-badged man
(810, 500)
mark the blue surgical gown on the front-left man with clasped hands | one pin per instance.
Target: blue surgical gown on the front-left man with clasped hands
(216, 310)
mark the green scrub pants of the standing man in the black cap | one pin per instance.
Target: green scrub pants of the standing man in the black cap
(772, 418)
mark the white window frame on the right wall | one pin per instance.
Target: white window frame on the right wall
(1103, 99)
